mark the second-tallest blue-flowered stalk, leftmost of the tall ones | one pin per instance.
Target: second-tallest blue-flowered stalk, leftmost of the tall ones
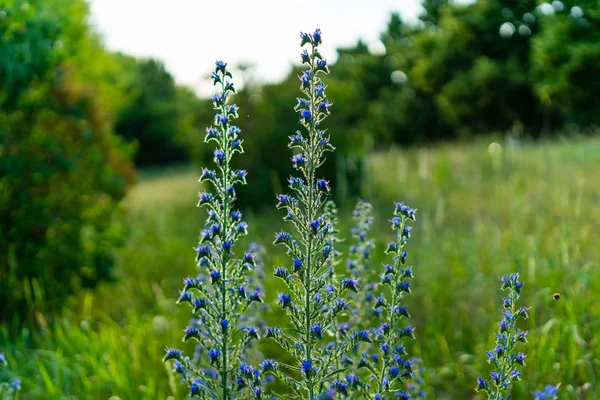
(220, 297)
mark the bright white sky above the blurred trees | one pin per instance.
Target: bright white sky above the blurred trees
(189, 35)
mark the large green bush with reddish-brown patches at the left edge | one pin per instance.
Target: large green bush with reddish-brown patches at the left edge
(62, 171)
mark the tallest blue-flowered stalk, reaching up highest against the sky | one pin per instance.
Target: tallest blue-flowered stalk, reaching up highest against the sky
(312, 303)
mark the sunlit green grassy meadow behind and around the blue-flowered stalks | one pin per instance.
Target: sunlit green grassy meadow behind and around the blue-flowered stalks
(482, 213)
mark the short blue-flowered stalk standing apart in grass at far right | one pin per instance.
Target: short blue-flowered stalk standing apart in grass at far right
(505, 360)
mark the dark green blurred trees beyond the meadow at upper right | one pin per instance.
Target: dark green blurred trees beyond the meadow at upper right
(476, 68)
